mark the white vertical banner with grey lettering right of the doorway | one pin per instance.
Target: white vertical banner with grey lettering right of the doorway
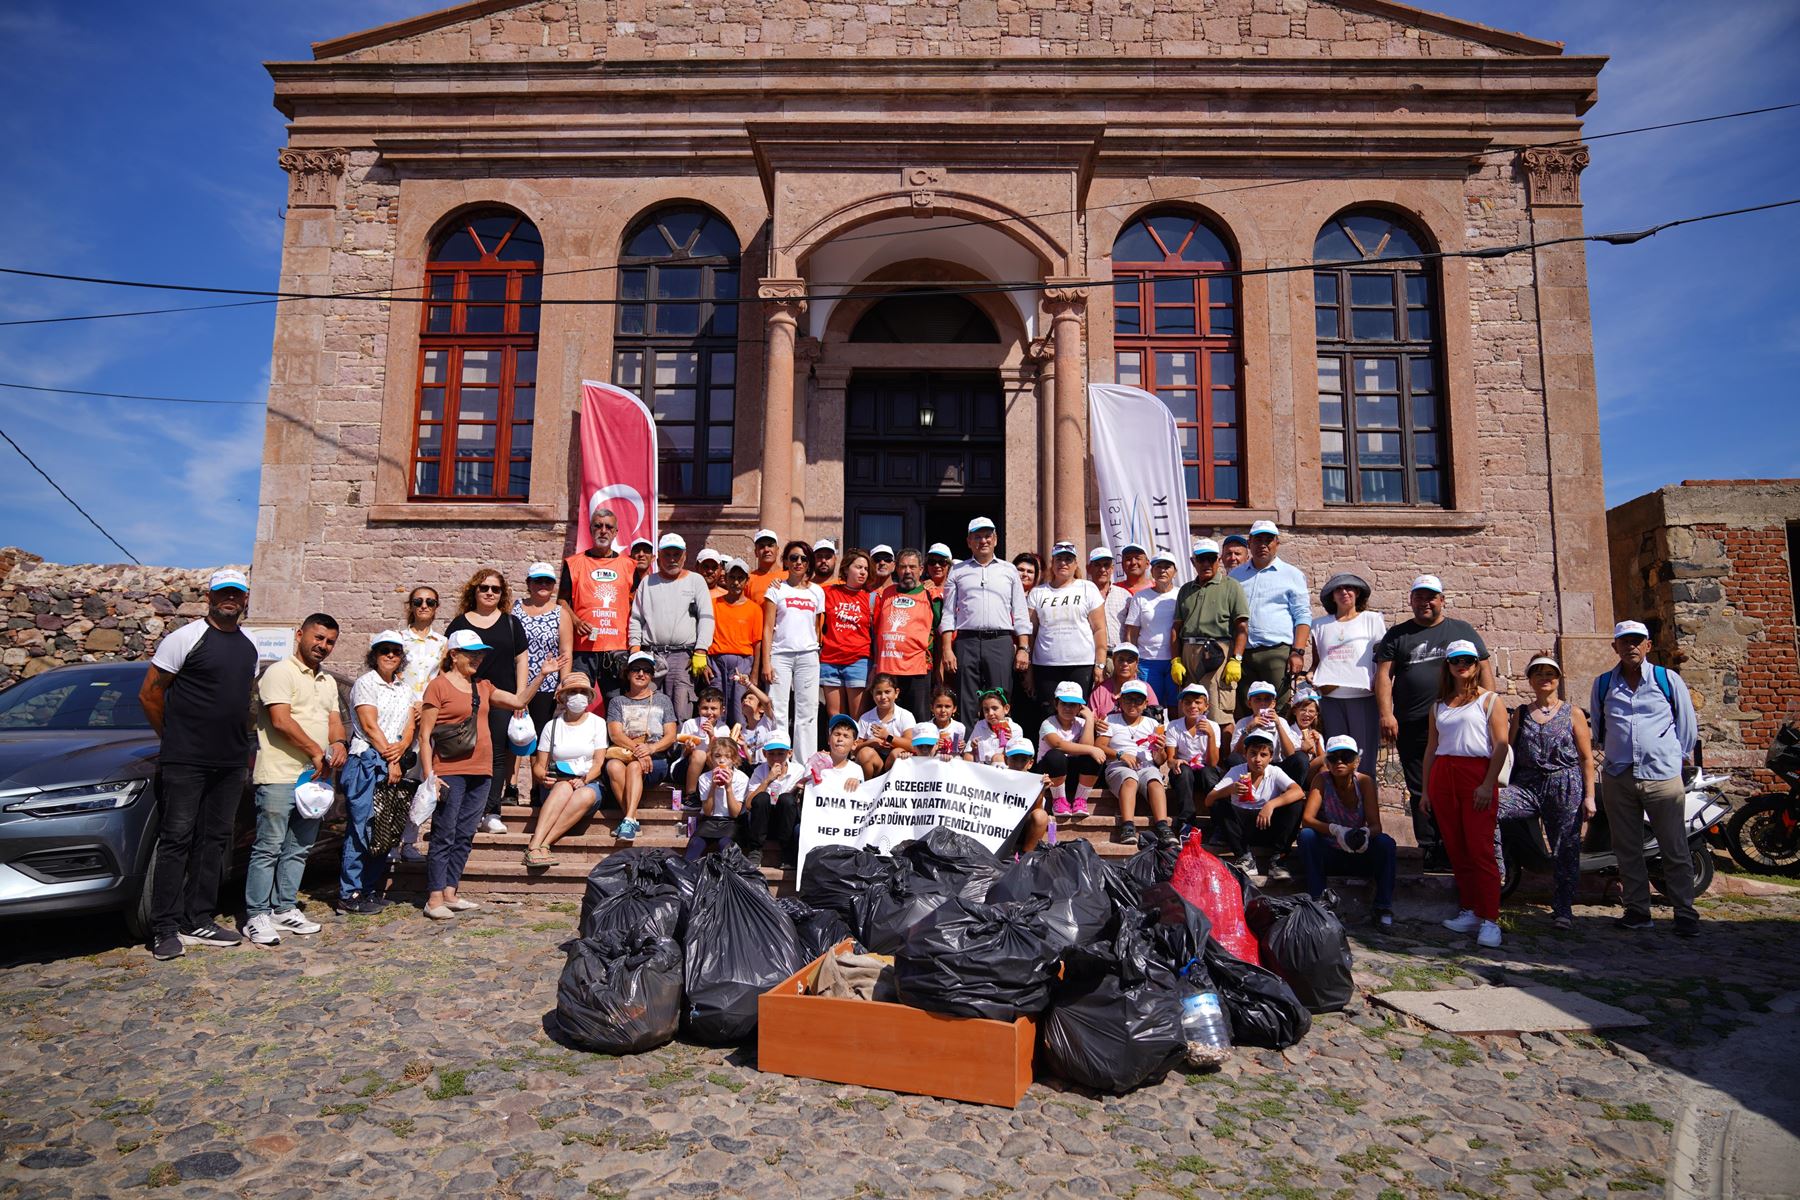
(1144, 494)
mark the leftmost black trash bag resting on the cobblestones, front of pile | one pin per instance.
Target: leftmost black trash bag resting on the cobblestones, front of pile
(620, 994)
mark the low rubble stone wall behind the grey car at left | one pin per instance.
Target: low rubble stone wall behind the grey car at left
(58, 614)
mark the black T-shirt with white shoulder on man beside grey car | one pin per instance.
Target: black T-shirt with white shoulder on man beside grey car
(206, 715)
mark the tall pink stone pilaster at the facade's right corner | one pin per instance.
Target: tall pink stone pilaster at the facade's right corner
(1572, 416)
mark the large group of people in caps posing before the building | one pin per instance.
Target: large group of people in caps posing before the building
(1223, 697)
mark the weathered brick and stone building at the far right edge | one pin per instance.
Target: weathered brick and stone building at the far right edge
(1709, 566)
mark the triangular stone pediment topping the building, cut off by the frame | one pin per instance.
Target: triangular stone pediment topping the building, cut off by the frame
(516, 31)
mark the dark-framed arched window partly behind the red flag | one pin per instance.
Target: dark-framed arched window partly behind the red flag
(678, 348)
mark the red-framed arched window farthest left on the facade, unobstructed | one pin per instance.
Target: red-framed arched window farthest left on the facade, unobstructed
(480, 361)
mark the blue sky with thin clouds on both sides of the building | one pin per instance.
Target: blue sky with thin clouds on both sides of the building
(141, 143)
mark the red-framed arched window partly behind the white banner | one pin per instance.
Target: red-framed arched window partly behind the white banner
(1176, 336)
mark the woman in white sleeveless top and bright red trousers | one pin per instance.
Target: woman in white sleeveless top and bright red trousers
(1464, 755)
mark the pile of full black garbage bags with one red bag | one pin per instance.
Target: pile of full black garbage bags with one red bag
(1129, 967)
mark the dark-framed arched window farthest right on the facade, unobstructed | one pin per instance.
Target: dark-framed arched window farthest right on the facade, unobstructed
(1381, 382)
